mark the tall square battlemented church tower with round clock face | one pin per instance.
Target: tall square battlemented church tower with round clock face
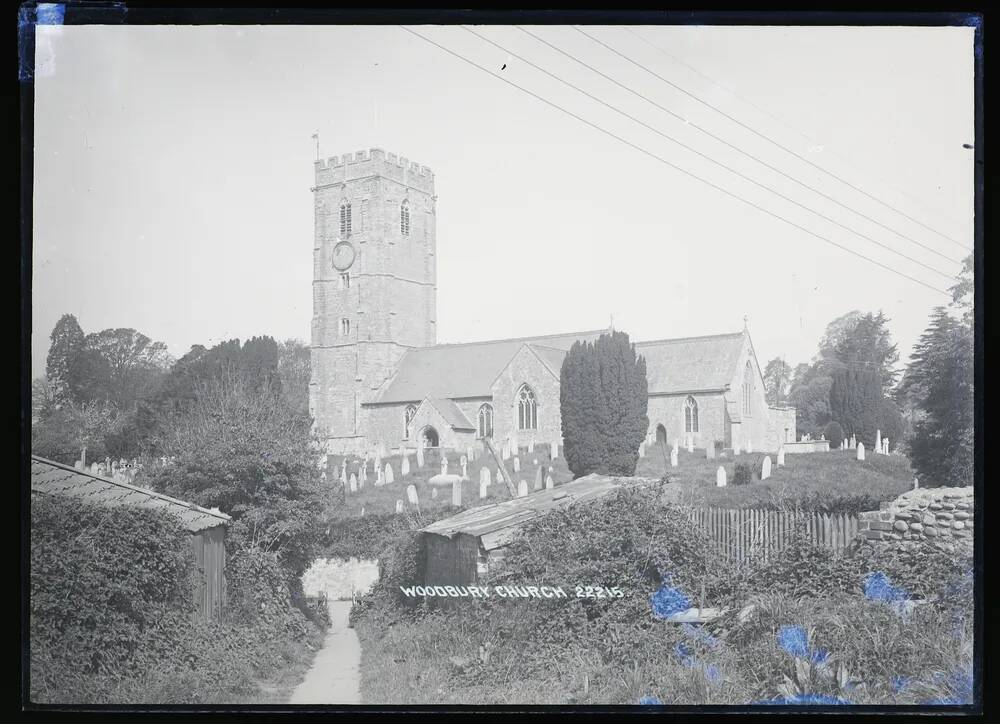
(374, 283)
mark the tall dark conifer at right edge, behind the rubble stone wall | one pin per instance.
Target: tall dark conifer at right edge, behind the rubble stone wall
(940, 382)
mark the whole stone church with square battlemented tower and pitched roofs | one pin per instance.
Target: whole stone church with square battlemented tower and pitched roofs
(380, 378)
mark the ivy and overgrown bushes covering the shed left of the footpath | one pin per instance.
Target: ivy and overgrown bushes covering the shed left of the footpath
(112, 613)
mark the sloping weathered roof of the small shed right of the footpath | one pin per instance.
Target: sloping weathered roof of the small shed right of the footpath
(495, 524)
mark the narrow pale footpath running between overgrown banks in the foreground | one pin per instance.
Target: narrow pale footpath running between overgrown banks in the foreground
(335, 676)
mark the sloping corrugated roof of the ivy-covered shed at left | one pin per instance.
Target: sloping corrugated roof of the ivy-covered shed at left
(55, 478)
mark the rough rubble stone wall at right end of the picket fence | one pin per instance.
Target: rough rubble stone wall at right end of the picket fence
(941, 517)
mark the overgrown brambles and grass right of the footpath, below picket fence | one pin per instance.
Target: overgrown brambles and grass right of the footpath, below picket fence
(815, 627)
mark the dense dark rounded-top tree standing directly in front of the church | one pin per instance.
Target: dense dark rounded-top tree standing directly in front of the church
(603, 398)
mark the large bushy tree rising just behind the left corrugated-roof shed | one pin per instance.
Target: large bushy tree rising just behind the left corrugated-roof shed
(237, 447)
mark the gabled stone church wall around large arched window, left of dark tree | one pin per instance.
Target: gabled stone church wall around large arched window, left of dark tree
(526, 368)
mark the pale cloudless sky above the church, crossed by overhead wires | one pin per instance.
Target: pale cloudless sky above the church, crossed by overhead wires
(173, 166)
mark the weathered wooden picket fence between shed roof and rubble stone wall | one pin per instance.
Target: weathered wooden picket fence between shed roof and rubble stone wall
(745, 535)
